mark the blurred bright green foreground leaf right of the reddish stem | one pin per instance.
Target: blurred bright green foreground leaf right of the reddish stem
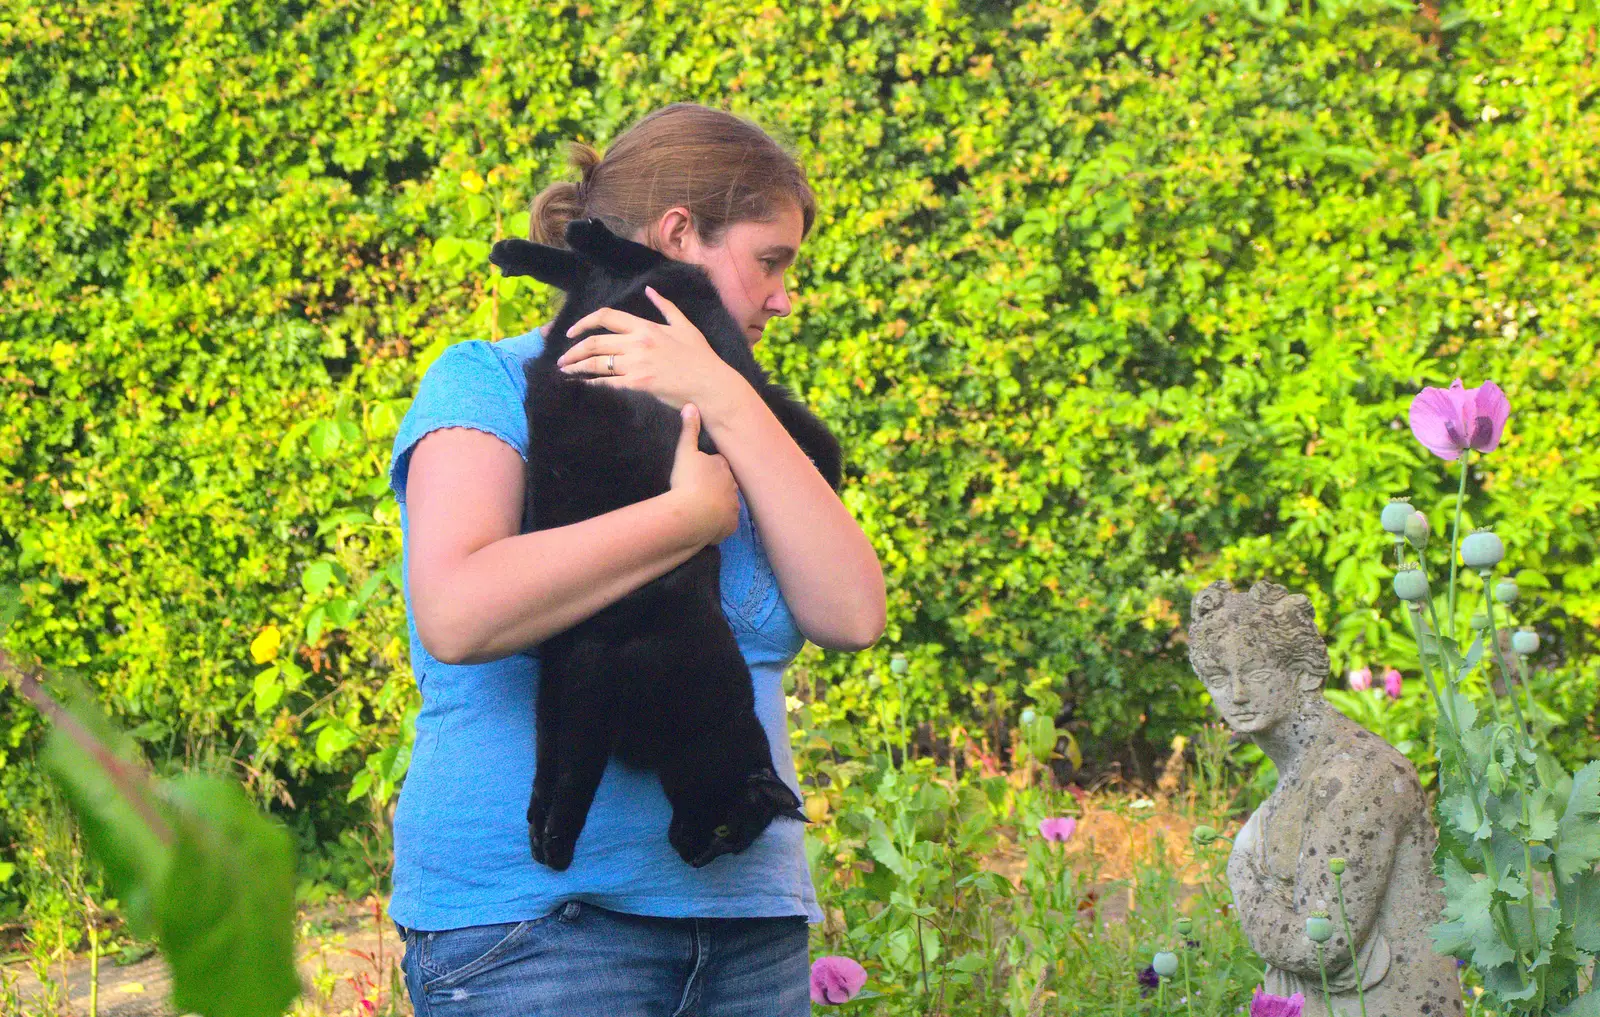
(228, 909)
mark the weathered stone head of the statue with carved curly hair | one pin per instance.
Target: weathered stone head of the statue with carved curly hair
(1260, 653)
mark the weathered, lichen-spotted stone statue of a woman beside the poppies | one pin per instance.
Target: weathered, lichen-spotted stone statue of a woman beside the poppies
(1343, 792)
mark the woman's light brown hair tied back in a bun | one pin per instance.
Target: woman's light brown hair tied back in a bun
(721, 167)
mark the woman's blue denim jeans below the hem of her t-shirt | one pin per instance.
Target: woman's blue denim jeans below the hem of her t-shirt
(583, 960)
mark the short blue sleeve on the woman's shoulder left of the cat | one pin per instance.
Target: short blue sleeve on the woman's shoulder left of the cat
(471, 385)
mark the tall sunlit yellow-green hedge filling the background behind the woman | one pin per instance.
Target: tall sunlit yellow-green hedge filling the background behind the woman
(1106, 300)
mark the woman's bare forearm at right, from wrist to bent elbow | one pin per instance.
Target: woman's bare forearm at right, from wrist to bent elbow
(825, 565)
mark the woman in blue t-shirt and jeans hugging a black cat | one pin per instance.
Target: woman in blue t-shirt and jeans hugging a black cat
(628, 928)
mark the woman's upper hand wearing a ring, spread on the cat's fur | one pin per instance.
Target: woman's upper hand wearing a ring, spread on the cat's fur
(671, 362)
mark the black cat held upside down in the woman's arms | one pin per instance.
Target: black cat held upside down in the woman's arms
(657, 679)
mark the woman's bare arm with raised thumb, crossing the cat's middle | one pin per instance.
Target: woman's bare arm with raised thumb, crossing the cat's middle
(482, 591)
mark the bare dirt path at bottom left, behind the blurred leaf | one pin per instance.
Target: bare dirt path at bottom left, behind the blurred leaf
(337, 951)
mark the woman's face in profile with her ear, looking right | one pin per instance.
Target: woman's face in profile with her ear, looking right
(748, 266)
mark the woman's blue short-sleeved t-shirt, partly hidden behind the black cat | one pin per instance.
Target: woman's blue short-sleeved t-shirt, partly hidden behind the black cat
(462, 836)
